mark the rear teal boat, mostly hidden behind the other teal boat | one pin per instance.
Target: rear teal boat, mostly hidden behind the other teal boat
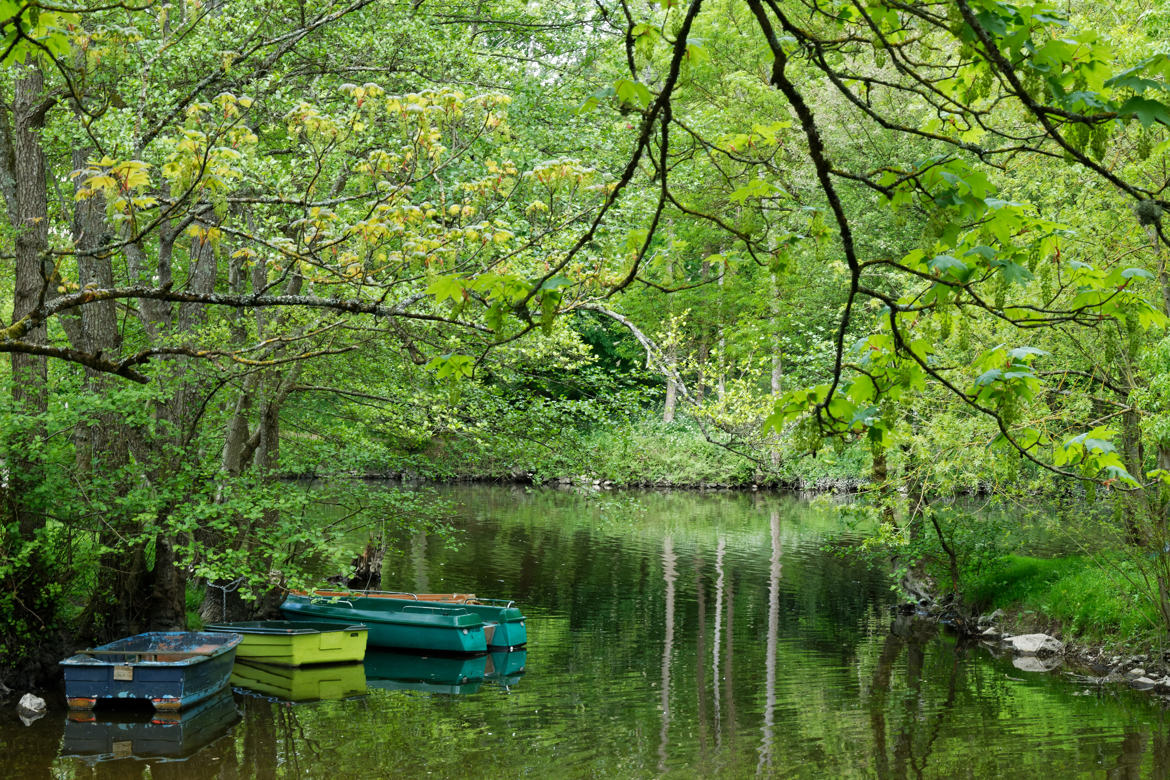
(505, 624)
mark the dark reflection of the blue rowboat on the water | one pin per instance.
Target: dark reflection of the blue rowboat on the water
(113, 735)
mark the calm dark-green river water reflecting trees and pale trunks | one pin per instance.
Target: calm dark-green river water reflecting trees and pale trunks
(670, 636)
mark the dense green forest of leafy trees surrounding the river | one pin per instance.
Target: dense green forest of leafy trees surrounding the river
(911, 247)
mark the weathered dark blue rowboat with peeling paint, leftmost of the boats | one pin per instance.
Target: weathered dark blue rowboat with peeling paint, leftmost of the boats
(169, 669)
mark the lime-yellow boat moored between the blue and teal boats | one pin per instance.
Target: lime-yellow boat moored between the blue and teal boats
(298, 643)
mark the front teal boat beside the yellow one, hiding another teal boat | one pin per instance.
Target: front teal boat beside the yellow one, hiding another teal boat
(394, 624)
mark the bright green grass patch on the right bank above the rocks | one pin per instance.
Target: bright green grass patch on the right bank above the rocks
(1092, 600)
